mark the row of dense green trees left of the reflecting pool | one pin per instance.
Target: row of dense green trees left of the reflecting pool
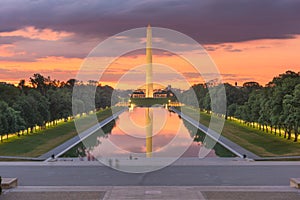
(43, 102)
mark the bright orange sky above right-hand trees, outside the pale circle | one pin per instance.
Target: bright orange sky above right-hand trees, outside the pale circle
(259, 60)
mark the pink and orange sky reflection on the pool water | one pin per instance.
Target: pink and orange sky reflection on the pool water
(170, 137)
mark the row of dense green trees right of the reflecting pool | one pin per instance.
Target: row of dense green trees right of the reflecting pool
(274, 108)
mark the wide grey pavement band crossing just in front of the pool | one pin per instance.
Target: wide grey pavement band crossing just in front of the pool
(185, 172)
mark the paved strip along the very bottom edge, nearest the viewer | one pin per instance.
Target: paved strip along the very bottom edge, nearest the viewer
(140, 192)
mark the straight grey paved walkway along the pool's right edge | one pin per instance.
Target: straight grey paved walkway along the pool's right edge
(233, 147)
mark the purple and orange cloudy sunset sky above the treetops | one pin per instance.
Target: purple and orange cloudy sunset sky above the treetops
(250, 40)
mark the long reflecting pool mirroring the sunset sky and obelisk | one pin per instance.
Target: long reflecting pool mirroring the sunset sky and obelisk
(146, 133)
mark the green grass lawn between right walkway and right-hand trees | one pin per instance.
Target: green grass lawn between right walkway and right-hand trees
(261, 143)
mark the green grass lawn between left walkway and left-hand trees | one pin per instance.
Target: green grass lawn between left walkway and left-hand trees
(36, 144)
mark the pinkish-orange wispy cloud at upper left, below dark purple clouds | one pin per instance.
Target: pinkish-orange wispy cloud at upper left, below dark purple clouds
(41, 34)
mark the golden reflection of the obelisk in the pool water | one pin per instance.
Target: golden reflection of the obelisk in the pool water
(149, 131)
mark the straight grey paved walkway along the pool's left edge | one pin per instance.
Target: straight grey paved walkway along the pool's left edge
(61, 149)
